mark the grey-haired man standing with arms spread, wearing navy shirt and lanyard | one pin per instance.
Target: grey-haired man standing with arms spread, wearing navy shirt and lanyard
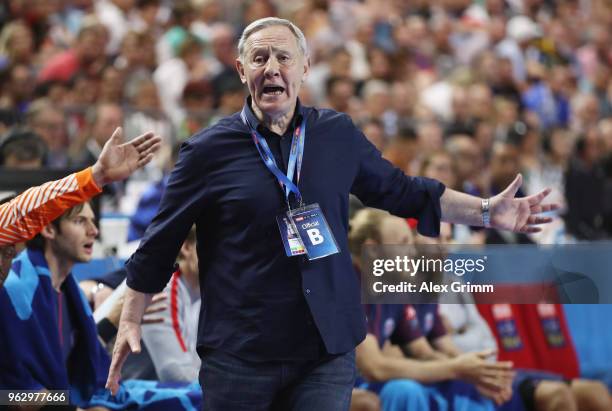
(281, 313)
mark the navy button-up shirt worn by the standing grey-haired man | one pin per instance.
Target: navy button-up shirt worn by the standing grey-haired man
(257, 303)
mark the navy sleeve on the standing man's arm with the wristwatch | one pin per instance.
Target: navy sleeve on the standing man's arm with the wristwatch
(381, 185)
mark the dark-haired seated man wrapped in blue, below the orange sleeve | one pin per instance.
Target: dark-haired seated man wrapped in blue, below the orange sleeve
(53, 341)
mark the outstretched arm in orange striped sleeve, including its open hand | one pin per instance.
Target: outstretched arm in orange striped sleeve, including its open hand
(25, 215)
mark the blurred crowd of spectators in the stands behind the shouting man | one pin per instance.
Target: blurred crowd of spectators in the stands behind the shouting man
(470, 92)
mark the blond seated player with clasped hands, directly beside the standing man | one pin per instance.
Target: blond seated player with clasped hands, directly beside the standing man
(405, 384)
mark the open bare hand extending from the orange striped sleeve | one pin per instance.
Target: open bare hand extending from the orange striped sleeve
(118, 160)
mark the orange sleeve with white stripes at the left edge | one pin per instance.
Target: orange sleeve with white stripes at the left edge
(28, 213)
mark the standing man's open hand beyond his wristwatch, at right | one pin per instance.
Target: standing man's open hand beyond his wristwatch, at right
(519, 214)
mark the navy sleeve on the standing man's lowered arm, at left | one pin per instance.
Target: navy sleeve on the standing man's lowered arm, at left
(149, 269)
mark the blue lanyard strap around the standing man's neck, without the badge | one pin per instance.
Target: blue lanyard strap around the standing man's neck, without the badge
(295, 157)
